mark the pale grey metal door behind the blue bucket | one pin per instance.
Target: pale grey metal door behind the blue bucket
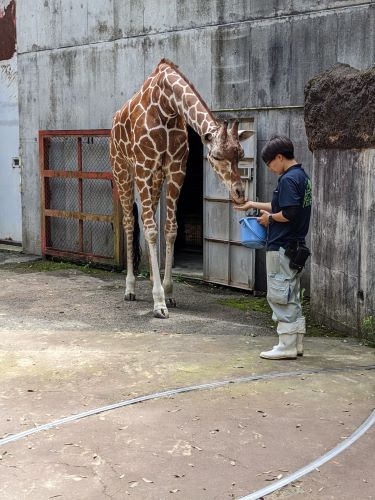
(225, 260)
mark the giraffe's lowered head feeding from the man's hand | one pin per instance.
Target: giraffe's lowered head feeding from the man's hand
(224, 153)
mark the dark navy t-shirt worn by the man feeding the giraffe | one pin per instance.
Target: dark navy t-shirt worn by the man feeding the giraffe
(293, 190)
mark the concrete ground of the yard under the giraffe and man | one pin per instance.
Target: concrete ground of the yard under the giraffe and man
(69, 343)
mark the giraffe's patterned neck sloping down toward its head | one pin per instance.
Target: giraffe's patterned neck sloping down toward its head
(185, 100)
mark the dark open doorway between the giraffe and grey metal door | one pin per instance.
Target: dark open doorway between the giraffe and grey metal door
(188, 256)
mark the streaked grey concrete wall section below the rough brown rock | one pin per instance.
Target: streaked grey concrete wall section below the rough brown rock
(343, 243)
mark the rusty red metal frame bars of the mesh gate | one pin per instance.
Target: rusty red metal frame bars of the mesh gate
(115, 218)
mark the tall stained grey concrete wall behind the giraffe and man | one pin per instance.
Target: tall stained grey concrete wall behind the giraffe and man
(79, 61)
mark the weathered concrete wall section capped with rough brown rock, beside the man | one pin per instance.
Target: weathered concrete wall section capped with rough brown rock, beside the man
(340, 124)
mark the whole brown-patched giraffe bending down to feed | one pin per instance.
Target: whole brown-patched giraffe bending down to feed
(149, 145)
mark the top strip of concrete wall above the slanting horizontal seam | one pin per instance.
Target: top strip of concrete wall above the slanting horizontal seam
(50, 24)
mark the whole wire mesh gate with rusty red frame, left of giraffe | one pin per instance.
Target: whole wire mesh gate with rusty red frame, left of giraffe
(81, 214)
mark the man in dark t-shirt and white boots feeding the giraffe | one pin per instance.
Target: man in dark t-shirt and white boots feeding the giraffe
(287, 219)
